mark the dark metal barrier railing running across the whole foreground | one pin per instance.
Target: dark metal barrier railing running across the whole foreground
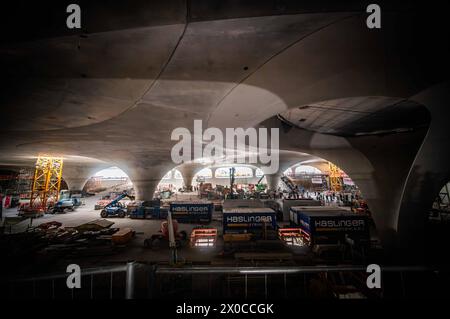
(233, 282)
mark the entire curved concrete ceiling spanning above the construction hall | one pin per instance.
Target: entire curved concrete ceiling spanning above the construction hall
(115, 91)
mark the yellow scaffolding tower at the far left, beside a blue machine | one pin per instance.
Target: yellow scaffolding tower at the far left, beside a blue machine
(46, 182)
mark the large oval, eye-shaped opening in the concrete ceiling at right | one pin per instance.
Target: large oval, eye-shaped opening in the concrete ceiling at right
(359, 116)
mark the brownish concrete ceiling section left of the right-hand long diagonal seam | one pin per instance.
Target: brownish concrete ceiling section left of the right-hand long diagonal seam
(173, 74)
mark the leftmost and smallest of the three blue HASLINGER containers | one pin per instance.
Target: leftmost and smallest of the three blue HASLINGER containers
(192, 212)
